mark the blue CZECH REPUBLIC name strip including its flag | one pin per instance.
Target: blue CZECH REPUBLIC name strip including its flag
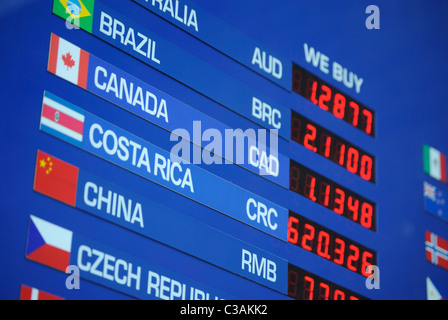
(138, 277)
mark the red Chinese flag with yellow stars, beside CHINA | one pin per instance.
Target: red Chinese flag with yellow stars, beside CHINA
(55, 178)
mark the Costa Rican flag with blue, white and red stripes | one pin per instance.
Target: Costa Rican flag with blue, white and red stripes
(62, 119)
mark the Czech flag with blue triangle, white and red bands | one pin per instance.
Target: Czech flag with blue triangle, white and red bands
(48, 243)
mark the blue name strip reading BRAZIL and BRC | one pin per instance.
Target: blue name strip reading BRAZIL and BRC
(167, 57)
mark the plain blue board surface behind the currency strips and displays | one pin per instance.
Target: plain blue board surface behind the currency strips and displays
(404, 68)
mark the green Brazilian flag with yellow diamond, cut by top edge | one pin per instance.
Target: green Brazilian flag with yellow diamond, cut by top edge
(76, 12)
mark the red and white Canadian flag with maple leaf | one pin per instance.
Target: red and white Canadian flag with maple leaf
(68, 61)
